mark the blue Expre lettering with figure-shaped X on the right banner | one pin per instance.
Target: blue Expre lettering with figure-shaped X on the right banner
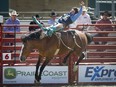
(100, 73)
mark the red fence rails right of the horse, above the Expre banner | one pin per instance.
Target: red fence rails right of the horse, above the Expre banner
(101, 53)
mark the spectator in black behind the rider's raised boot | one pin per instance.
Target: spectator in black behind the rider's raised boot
(33, 28)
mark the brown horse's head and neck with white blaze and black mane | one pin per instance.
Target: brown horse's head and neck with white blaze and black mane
(28, 44)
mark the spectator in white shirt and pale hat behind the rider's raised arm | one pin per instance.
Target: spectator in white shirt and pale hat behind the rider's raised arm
(83, 19)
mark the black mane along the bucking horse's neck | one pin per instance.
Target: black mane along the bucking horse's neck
(32, 36)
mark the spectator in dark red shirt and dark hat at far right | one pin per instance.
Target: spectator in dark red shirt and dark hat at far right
(104, 20)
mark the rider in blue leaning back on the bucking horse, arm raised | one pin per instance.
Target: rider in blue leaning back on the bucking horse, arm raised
(63, 21)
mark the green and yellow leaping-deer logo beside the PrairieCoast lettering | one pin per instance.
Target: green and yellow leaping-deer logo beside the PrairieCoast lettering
(10, 73)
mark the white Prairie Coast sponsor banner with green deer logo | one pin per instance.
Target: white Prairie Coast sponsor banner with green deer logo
(26, 74)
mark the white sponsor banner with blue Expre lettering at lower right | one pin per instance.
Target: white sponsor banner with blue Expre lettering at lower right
(97, 73)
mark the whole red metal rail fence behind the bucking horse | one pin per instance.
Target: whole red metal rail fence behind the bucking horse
(92, 55)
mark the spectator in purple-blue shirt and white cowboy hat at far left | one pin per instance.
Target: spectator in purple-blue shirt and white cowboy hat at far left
(12, 20)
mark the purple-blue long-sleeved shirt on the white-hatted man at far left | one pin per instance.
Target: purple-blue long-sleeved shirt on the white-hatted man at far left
(12, 29)
